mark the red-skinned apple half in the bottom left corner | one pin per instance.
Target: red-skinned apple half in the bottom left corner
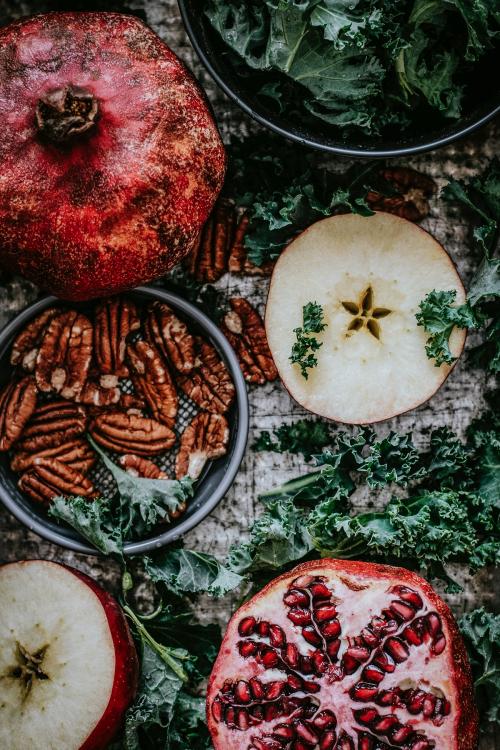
(68, 665)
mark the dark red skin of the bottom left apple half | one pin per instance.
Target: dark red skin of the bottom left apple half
(126, 669)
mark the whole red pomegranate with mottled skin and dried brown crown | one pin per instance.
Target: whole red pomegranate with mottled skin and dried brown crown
(111, 161)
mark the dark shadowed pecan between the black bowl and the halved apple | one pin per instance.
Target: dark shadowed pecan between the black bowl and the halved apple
(413, 192)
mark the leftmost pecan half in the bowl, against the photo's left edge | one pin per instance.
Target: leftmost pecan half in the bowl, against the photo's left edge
(17, 404)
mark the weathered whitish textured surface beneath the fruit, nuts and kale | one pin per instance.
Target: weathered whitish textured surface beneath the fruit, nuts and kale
(460, 399)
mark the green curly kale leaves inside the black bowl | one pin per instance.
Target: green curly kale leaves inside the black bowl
(363, 65)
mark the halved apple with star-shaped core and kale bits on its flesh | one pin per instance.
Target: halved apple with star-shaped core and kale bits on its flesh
(369, 274)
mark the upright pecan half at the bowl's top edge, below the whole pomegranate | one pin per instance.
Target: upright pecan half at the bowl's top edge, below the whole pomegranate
(115, 320)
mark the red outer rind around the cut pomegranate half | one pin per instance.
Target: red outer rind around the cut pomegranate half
(465, 733)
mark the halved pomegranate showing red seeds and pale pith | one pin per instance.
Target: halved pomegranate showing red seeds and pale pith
(344, 655)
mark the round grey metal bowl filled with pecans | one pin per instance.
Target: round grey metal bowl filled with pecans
(148, 377)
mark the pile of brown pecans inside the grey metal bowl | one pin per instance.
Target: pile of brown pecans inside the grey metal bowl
(71, 377)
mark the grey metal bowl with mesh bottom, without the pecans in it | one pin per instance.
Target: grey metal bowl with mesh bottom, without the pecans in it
(216, 477)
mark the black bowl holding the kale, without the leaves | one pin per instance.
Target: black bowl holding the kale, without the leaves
(482, 106)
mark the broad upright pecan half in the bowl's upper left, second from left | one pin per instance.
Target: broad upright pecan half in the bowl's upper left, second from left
(64, 356)
